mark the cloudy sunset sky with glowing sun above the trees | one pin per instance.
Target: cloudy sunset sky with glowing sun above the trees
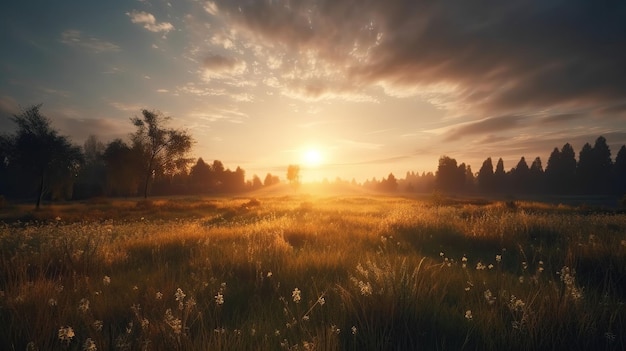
(367, 87)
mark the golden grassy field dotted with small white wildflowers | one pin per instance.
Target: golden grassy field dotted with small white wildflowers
(299, 272)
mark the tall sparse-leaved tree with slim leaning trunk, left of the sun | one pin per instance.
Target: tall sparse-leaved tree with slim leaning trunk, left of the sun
(163, 150)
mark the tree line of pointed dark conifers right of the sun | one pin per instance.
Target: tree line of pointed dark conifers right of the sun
(593, 173)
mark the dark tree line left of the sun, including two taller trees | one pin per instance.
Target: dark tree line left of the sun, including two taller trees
(36, 162)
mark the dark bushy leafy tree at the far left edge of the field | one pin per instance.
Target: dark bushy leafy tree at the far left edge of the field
(44, 159)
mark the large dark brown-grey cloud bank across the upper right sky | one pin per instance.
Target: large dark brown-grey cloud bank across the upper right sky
(499, 55)
